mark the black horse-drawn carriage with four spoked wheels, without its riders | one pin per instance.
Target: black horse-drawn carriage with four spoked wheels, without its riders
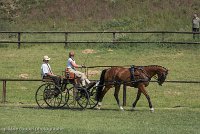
(70, 94)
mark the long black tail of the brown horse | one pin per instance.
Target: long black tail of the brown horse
(100, 86)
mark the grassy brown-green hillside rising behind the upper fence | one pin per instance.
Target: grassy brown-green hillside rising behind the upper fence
(82, 15)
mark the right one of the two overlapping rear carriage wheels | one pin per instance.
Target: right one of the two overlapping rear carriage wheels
(52, 95)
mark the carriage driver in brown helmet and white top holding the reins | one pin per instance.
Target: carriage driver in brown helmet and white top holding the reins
(71, 66)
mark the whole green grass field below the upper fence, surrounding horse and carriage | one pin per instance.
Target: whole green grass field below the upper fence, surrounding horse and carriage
(177, 106)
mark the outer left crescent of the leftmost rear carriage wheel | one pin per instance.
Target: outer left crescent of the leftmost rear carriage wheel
(39, 96)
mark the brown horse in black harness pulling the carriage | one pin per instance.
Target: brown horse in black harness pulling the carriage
(140, 78)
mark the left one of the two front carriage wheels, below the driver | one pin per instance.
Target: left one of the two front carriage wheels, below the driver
(78, 97)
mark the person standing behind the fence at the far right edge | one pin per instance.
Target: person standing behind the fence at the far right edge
(195, 26)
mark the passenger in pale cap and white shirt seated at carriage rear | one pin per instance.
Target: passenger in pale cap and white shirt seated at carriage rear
(47, 73)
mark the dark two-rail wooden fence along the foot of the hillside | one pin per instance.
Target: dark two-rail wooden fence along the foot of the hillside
(113, 38)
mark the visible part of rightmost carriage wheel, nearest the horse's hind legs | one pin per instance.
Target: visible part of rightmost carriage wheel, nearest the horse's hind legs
(92, 98)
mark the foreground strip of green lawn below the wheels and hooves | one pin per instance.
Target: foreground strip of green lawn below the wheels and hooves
(32, 120)
